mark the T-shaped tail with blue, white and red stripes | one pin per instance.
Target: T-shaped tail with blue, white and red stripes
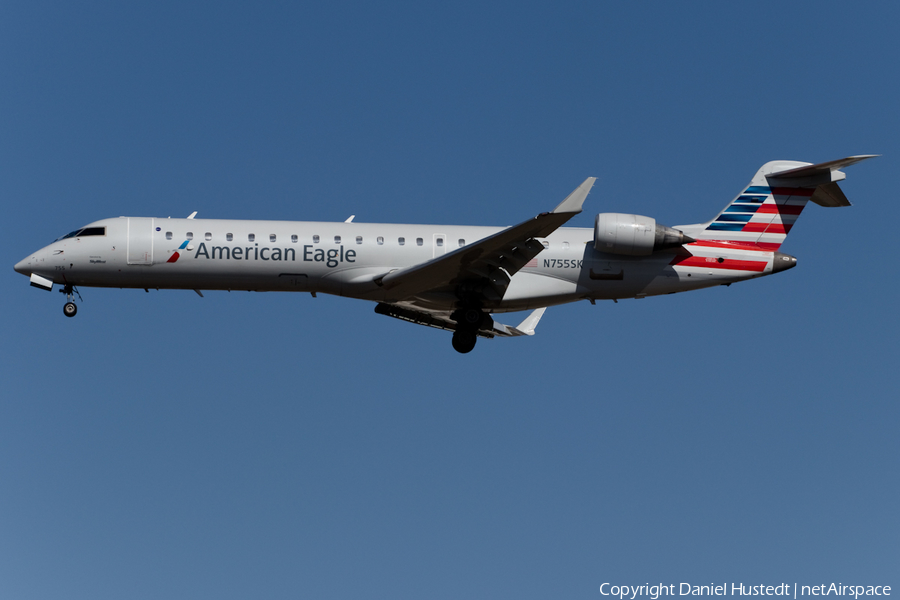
(763, 214)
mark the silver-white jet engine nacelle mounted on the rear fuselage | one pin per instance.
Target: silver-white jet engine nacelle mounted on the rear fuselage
(634, 235)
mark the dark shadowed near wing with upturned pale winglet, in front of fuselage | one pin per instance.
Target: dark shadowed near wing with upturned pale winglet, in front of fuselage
(485, 266)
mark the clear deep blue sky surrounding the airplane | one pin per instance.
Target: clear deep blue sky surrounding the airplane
(275, 445)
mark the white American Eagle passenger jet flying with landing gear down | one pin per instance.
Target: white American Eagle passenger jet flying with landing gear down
(448, 276)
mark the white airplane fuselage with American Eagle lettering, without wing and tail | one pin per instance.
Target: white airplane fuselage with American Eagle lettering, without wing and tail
(346, 259)
